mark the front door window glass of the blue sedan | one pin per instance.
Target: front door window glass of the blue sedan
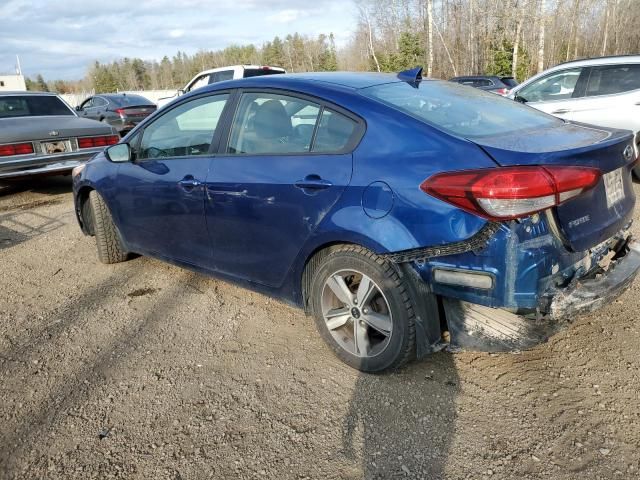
(187, 130)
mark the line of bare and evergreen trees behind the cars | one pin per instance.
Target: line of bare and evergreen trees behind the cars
(448, 37)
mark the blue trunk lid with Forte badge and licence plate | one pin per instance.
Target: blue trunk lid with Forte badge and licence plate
(598, 214)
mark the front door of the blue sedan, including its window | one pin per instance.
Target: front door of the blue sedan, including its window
(162, 191)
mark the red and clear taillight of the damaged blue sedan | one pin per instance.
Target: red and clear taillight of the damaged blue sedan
(510, 192)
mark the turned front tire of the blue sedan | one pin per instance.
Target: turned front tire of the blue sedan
(108, 242)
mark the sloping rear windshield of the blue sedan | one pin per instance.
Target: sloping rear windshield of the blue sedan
(459, 110)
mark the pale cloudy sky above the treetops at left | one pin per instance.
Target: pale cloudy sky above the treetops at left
(60, 39)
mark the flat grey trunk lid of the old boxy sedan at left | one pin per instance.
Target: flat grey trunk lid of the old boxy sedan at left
(26, 129)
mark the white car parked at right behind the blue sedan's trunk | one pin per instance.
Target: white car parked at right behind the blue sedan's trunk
(602, 91)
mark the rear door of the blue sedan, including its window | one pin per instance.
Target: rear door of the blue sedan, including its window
(287, 162)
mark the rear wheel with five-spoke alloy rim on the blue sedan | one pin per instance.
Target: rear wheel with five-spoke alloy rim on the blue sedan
(362, 310)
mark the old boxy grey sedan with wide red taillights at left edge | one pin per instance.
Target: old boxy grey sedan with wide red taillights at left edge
(40, 133)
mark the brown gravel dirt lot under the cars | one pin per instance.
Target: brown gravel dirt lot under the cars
(144, 370)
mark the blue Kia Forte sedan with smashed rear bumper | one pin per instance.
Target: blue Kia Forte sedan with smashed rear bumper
(405, 215)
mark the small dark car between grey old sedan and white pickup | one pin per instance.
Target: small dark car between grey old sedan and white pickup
(120, 110)
